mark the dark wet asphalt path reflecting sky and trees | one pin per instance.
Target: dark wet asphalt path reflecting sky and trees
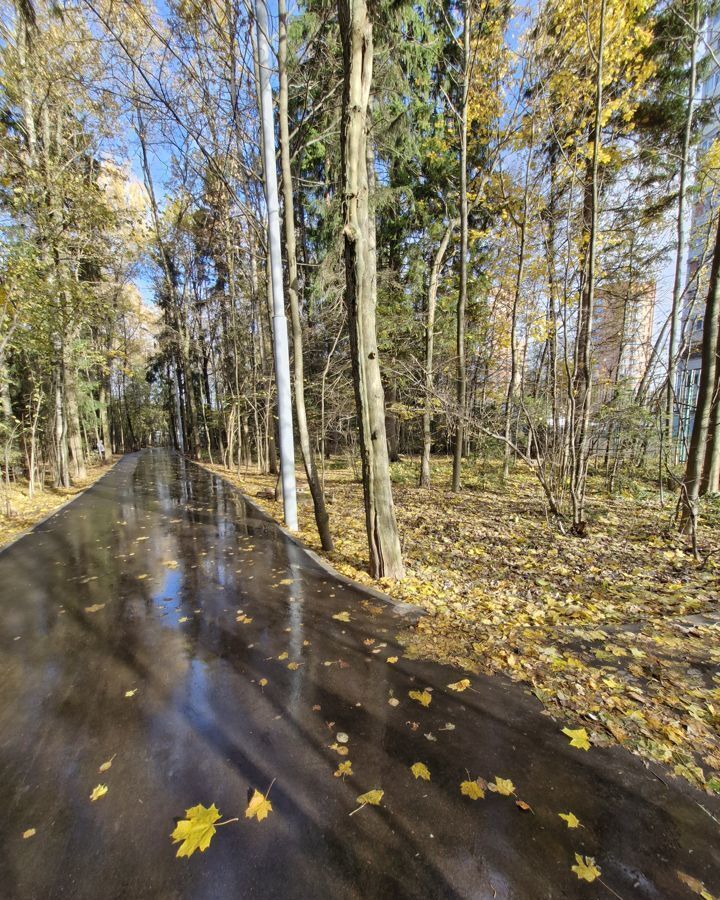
(137, 586)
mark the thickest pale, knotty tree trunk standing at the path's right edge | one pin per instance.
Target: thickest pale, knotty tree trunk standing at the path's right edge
(360, 289)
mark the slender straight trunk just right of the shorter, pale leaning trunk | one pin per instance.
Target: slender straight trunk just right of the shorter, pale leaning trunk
(462, 294)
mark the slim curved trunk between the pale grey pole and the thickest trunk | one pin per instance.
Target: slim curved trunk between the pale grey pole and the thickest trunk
(316, 491)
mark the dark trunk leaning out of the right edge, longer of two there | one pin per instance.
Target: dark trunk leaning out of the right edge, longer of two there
(690, 490)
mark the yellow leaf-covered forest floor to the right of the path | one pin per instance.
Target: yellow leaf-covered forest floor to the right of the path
(617, 632)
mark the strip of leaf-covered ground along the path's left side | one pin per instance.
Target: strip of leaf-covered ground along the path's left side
(19, 512)
